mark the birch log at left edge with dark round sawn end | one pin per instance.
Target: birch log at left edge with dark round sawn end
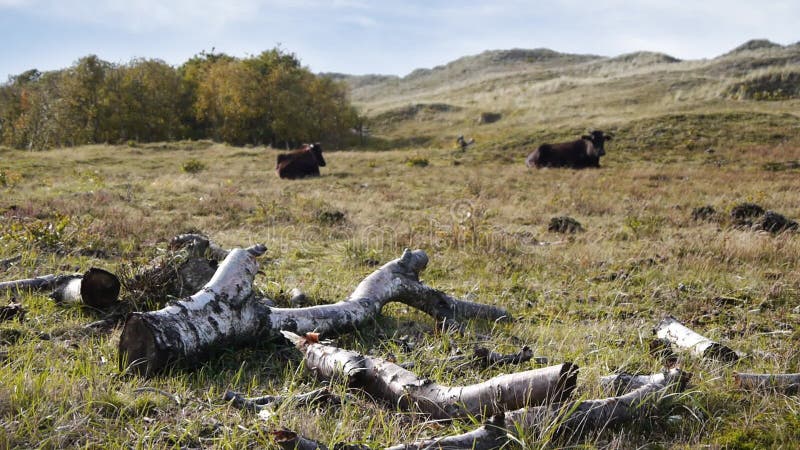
(96, 287)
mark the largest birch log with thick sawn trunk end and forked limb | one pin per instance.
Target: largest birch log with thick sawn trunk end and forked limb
(225, 312)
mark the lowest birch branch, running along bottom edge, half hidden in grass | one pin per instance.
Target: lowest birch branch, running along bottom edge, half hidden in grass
(571, 420)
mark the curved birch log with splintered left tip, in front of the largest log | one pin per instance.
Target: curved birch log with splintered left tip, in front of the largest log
(398, 386)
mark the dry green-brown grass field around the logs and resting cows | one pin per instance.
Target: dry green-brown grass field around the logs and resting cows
(591, 297)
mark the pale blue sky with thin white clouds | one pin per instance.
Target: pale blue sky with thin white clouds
(377, 36)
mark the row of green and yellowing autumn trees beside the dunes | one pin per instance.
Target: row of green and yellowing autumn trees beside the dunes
(266, 99)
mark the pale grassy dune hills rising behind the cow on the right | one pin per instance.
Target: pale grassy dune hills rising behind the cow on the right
(543, 91)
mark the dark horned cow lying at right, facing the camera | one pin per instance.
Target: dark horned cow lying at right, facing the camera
(585, 152)
